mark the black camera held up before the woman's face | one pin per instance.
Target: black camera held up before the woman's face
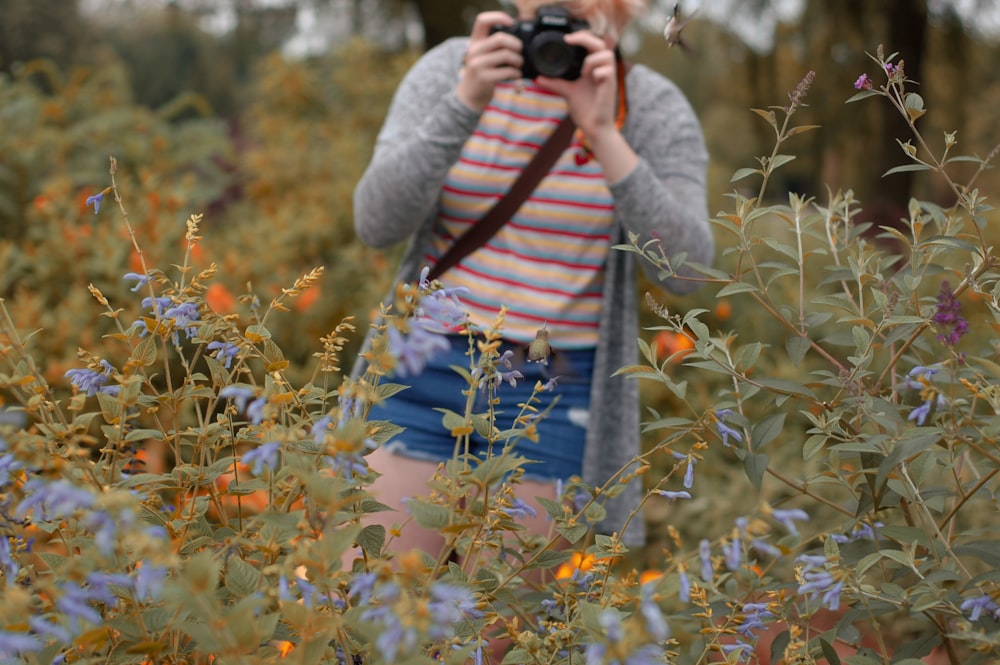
(545, 51)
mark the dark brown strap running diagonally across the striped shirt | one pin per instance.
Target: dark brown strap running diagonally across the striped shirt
(480, 232)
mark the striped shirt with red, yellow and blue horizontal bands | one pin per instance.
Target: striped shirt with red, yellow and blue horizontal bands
(546, 263)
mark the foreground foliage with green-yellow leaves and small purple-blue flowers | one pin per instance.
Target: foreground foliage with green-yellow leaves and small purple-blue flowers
(870, 401)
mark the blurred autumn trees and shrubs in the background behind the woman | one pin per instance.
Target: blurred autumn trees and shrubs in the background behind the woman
(261, 115)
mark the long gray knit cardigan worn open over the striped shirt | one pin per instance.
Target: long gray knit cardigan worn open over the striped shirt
(663, 197)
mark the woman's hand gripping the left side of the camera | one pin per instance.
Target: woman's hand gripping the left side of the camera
(490, 59)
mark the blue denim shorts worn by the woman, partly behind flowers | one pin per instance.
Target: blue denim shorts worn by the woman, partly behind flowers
(561, 432)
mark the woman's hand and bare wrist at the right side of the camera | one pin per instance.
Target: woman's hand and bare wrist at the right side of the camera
(593, 105)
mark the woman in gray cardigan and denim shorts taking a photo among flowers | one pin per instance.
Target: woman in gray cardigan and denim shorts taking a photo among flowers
(460, 127)
